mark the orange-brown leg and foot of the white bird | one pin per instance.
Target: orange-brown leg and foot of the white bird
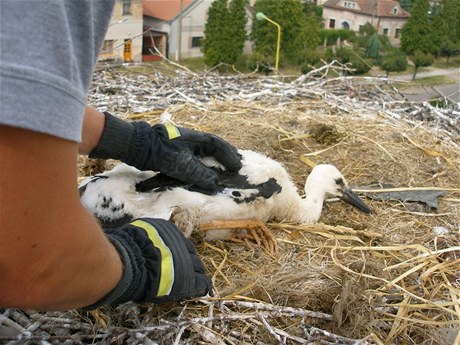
(258, 231)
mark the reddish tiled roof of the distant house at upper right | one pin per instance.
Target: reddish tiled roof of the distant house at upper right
(380, 8)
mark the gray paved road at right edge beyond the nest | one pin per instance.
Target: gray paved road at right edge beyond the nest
(420, 93)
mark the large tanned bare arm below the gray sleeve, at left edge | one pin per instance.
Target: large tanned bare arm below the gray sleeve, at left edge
(53, 255)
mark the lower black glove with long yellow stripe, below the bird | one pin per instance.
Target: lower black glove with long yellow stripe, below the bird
(160, 265)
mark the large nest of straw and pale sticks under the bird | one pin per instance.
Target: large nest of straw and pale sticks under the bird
(392, 277)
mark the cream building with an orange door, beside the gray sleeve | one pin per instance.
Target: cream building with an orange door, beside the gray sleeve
(123, 41)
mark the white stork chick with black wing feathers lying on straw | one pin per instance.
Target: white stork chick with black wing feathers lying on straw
(261, 191)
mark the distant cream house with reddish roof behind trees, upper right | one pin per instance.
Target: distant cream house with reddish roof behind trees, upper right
(386, 16)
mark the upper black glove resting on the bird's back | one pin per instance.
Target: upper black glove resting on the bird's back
(171, 150)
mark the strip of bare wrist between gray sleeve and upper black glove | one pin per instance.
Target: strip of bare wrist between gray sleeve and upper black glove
(93, 125)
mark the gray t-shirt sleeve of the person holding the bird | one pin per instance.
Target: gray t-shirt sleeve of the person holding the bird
(48, 50)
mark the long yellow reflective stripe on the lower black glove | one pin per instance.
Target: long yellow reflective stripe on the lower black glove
(167, 265)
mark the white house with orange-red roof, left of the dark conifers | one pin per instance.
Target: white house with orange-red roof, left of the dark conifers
(176, 28)
